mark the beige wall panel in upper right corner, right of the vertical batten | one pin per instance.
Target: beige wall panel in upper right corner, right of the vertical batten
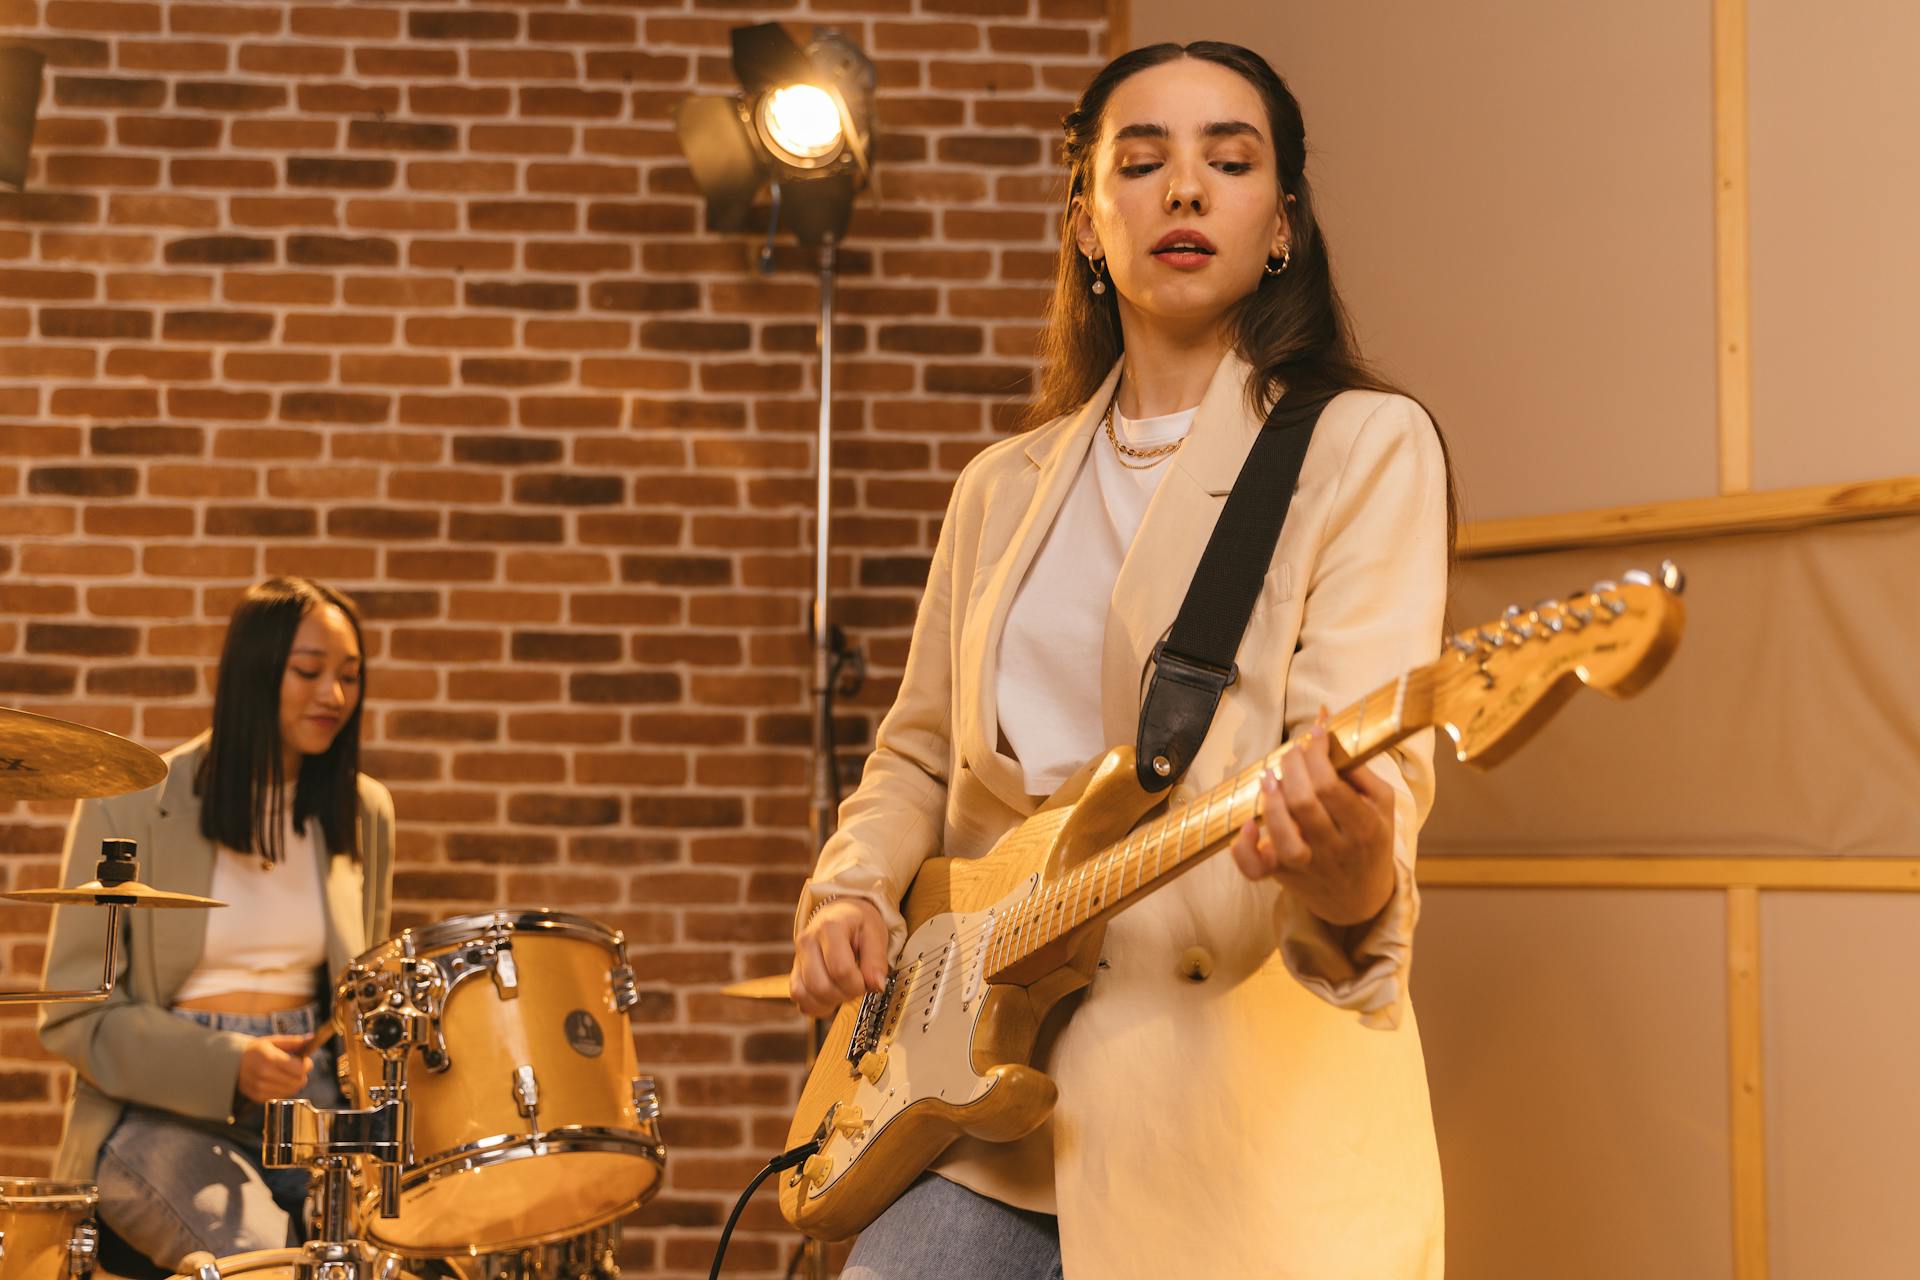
(1836, 264)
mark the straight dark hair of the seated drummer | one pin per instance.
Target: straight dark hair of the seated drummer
(243, 780)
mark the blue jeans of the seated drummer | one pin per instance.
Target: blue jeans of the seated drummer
(172, 1185)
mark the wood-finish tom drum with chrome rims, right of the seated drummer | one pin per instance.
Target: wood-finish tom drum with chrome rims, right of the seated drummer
(531, 1120)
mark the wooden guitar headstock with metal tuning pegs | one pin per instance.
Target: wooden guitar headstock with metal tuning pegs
(1500, 682)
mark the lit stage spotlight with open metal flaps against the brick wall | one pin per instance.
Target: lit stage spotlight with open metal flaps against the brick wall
(800, 130)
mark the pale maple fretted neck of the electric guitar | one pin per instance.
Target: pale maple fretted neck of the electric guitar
(1180, 840)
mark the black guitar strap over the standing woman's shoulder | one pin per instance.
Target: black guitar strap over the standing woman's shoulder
(1195, 665)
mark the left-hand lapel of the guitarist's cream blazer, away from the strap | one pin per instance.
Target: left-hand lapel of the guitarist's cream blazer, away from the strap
(1057, 460)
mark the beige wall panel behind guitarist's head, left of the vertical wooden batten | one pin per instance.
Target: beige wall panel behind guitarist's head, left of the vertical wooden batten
(1524, 247)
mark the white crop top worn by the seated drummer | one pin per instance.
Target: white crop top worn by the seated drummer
(272, 936)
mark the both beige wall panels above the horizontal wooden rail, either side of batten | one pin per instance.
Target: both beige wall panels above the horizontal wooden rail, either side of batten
(1522, 208)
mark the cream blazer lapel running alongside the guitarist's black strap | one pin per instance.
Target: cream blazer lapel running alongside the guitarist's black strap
(1180, 521)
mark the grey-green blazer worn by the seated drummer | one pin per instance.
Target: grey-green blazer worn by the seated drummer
(130, 1049)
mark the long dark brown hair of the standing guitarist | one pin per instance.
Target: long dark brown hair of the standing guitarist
(1293, 329)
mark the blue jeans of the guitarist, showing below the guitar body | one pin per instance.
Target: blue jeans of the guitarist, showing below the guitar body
(942, 1231)
